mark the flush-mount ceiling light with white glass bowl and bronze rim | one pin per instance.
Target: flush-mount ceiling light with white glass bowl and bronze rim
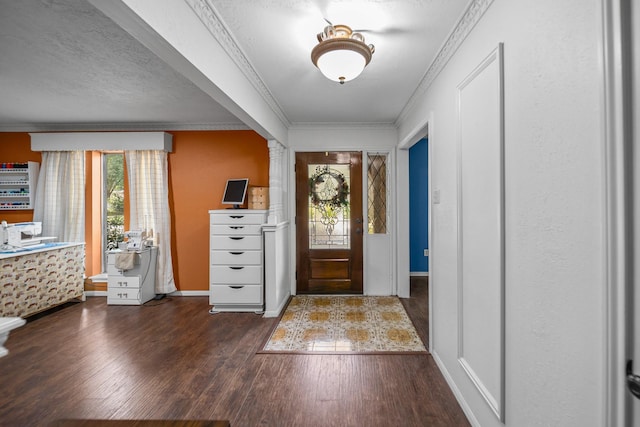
(341, 54)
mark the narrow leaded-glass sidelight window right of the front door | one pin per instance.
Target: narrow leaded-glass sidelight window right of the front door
(377, 193)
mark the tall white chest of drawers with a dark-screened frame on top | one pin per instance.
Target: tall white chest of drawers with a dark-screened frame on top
(236, 270)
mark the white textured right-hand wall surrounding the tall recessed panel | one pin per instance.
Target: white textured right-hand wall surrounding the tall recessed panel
(554, 318)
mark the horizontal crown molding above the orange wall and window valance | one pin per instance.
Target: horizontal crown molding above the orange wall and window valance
(112, 127)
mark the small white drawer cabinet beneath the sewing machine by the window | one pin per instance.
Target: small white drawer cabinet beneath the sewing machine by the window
(135, 286)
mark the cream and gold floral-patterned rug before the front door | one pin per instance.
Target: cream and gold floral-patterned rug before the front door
(344, 325)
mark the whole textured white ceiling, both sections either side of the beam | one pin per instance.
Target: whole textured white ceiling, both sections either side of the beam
(65, 65)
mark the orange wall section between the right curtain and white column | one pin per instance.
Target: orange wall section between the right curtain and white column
(199, 167)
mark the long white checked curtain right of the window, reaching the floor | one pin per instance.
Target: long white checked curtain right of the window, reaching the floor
(149, 207)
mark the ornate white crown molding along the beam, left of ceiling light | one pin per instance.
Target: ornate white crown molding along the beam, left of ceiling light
(208, 15)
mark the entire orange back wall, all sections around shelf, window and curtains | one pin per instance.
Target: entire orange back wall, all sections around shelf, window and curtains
(199, 166)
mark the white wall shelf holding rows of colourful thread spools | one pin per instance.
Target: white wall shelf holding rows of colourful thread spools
(18, 185)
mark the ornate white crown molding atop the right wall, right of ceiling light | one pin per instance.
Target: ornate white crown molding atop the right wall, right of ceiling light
(466, 23)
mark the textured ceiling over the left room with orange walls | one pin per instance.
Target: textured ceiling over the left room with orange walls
(63, 62)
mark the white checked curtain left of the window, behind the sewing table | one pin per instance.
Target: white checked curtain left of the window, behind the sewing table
(60, 191)
